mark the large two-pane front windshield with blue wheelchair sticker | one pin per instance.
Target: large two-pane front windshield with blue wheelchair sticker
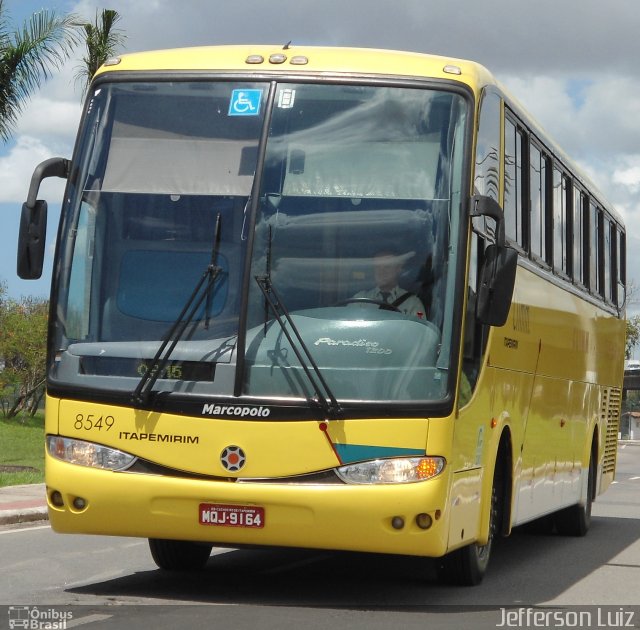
(337, 248)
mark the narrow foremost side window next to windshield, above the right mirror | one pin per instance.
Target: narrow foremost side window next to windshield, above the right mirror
(487, 173)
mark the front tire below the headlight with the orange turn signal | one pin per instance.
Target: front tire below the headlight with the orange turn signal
(467, 566)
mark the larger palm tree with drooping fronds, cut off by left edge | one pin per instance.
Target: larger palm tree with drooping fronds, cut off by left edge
(27, 58)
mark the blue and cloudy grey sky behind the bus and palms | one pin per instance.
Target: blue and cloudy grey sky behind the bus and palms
(572, 63)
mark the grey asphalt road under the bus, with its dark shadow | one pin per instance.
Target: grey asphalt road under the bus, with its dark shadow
(113, 583)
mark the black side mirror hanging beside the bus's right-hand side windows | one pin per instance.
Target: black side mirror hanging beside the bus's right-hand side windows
(497, 280)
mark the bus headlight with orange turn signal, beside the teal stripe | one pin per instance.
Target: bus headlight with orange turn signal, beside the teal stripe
(397, 470)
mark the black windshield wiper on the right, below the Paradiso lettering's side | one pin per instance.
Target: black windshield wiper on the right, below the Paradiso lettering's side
(327, 401)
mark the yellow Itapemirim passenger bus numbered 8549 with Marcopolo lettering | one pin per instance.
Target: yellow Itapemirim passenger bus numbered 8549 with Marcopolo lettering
(325, 298)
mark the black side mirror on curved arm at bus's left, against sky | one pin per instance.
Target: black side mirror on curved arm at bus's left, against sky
(33, 221)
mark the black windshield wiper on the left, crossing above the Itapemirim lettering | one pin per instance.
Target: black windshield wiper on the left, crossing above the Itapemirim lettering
(208, 279)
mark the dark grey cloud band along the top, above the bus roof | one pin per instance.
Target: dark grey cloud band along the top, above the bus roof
(529, 38)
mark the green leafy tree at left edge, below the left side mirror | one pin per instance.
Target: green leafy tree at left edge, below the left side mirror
(23, 334)
